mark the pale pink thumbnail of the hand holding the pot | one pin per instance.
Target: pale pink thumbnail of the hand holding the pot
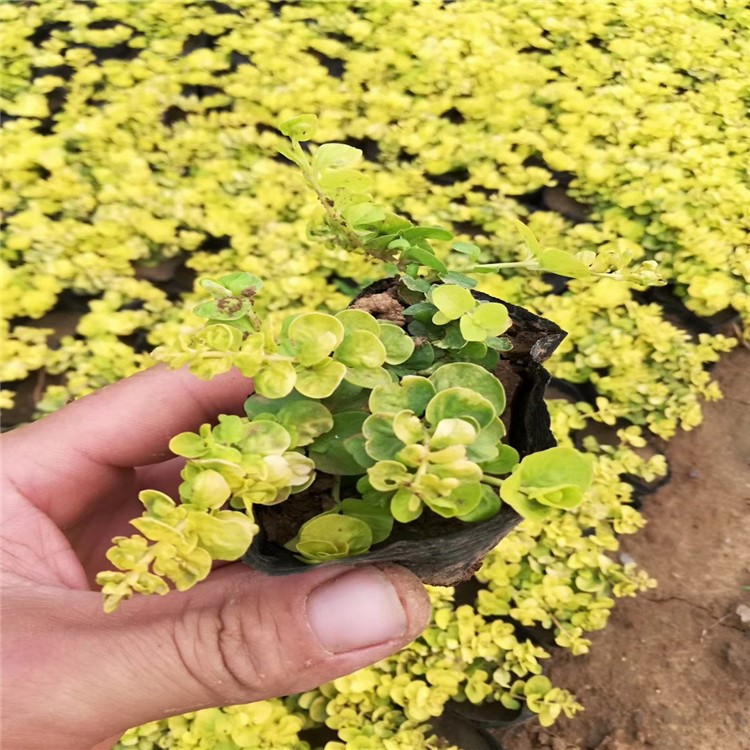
(356, 610)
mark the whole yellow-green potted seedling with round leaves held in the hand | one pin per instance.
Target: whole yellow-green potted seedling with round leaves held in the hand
(384, 414)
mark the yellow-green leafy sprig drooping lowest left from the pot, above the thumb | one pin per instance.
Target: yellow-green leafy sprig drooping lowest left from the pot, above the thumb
(239, 462)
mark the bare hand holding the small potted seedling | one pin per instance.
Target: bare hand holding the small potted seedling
(74, 678)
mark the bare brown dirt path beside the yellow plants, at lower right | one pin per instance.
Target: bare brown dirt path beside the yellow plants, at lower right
(672, 670)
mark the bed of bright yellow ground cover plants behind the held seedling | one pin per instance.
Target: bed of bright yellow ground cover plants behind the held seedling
(138, 158)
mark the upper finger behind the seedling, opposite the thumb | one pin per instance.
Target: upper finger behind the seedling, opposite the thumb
(71, 460)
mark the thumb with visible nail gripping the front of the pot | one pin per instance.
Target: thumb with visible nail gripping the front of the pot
(238, 637)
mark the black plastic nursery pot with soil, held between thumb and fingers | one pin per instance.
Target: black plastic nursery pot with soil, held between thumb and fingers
(445, 551)
